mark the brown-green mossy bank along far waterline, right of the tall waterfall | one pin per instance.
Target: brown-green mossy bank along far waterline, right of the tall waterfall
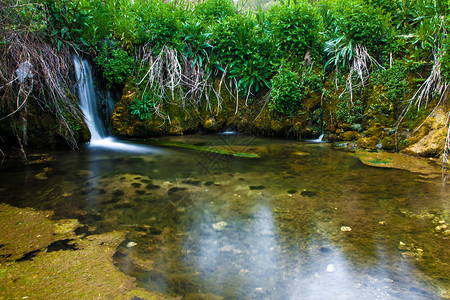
(213, 115)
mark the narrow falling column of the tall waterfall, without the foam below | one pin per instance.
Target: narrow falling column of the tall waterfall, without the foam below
(88, 100)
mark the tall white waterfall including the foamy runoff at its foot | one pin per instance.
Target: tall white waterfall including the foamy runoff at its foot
(88, 105)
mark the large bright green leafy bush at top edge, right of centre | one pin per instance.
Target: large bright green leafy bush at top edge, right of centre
(296, 29)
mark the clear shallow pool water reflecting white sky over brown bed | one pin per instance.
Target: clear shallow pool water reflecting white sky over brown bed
(240, 228)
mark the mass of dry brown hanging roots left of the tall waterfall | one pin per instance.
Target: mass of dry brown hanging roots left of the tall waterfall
(33, 69)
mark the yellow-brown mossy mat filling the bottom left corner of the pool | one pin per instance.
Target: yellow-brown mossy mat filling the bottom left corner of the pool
(88, 272)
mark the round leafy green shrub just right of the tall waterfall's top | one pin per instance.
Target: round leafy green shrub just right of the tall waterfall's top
(115, 63)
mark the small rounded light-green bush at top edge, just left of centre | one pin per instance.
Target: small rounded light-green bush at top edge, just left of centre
(214, 10)
